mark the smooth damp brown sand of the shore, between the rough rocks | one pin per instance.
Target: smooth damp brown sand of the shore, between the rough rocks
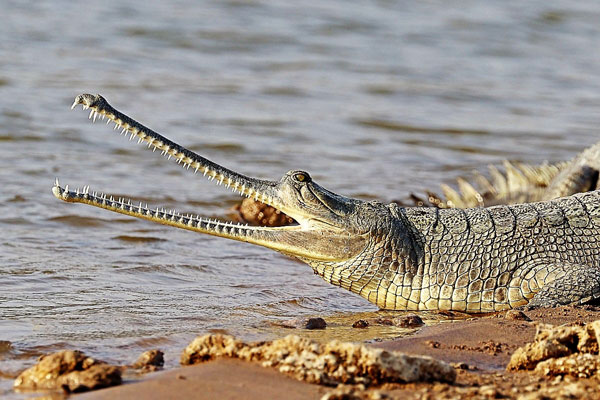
(480, 349)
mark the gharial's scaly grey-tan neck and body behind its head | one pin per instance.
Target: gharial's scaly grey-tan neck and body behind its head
(479, 260)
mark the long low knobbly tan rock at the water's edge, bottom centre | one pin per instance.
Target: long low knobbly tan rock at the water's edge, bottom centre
(329, 364)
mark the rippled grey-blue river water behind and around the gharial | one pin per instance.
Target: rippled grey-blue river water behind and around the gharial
(377, 99)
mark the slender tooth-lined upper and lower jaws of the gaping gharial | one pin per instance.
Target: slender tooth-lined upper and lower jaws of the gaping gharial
(254, 189)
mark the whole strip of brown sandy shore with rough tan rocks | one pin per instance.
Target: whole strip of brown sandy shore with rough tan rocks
(543, 353)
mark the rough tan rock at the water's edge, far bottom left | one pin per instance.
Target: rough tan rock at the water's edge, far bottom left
(70, 370)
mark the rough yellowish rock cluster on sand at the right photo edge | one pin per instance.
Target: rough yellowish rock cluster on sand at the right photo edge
(560, 350)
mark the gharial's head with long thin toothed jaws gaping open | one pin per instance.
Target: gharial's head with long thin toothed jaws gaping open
(329, 227)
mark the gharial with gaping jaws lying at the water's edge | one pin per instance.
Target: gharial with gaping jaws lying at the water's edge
(400, 258)
